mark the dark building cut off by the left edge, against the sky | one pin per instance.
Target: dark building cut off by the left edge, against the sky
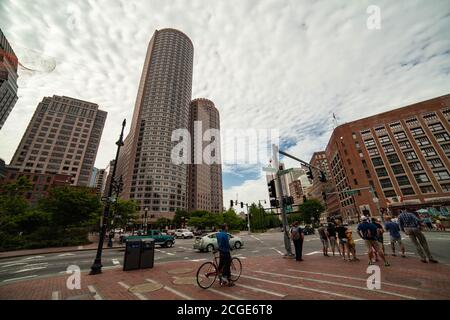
(8, 79)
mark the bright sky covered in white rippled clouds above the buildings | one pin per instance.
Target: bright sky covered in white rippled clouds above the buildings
(272, 64)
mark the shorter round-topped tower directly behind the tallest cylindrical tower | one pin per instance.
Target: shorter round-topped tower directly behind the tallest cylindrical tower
(204, 180)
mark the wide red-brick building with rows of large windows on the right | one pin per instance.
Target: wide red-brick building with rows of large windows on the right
(402, 154)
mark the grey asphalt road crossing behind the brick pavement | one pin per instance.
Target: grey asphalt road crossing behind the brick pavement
(267, 244)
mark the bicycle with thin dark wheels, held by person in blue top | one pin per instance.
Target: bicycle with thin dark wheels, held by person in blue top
(207, 273)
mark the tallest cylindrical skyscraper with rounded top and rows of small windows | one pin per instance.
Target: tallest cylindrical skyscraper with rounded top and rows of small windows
(162, 105)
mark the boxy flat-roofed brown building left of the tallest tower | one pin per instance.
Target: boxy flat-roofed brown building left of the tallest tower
(62, 138)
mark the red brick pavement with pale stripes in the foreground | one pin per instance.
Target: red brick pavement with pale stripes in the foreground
(263, 278)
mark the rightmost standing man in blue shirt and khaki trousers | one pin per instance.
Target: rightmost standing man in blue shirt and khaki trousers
(410, 225)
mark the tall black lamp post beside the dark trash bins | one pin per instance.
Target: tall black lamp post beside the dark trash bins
(96, 267)
